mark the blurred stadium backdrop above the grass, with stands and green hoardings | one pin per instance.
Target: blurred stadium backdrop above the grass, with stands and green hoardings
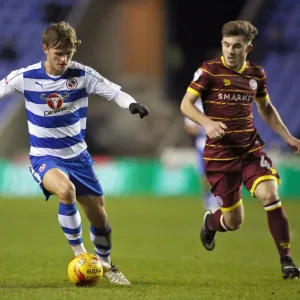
(151, 48)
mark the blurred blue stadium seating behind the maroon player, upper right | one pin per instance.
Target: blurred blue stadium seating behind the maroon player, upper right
(282, 66)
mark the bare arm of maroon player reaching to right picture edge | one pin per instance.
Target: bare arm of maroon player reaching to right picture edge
(270, 115)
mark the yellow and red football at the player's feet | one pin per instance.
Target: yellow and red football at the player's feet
(85, 270)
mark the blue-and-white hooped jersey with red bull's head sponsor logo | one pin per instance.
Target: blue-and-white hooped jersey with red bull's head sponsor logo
(56, 107)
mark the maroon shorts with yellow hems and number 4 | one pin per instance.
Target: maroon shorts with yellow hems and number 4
(227, 177)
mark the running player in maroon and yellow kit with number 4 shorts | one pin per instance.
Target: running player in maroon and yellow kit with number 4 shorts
(234, 152)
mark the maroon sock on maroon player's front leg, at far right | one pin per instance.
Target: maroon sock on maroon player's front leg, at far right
(279, 227)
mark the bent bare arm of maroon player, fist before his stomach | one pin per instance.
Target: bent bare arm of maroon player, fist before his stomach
(214, 130)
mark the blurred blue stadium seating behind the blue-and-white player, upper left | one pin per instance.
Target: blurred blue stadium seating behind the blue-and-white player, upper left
(23, 23)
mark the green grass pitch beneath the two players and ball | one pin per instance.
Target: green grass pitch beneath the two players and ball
(155, 244)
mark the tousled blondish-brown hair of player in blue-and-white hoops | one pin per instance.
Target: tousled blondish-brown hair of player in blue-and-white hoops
(60, 35)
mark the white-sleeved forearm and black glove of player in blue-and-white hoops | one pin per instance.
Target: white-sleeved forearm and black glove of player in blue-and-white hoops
(126, 101)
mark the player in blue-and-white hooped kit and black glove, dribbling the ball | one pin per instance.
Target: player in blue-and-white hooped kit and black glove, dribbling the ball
(56, 99)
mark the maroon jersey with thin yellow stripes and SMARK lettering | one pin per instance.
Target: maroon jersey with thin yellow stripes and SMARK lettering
(227, 97)
